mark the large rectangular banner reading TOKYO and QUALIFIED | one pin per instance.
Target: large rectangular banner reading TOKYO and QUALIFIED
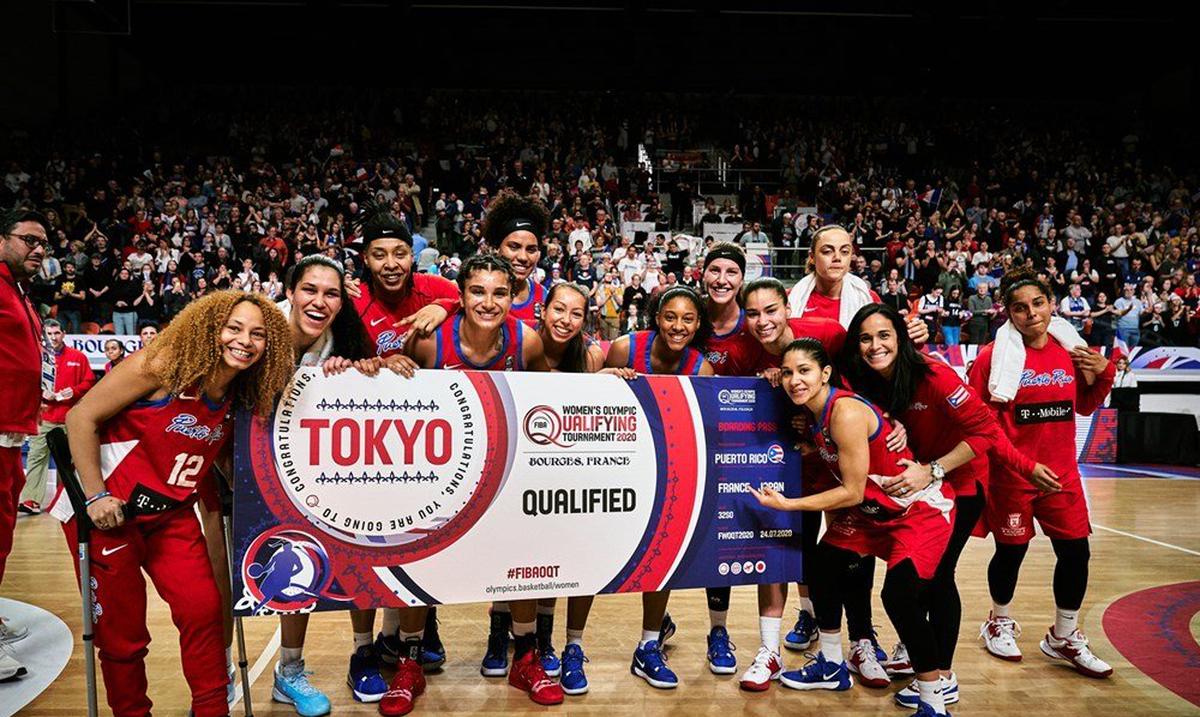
(461, 487)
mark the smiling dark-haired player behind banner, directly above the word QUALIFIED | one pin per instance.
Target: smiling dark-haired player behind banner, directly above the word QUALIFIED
(681, 324)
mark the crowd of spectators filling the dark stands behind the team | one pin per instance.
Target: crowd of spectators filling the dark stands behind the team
(152, 210)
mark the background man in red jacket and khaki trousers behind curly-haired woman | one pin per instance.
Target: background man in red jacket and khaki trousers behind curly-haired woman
(73, 378)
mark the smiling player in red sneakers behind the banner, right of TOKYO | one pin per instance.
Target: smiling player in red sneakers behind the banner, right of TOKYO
(483, 338)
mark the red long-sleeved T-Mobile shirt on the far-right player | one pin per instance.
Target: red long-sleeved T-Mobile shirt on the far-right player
(1041, 419)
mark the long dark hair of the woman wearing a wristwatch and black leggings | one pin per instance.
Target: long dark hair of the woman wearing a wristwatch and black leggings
(893, 396)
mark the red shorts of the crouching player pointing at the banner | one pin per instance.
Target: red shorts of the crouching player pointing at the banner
(920, 535)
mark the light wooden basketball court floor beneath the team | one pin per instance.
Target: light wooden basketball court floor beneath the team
(1167, 511)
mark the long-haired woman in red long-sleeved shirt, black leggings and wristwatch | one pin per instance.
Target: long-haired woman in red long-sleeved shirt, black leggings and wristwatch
(951, 432)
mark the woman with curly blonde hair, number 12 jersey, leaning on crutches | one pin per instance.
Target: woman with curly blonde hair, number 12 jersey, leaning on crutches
(147, 439)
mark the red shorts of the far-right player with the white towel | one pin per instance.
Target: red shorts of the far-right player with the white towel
(1013, 505)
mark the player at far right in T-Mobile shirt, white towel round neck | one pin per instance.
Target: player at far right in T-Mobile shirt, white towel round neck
(1036, 377)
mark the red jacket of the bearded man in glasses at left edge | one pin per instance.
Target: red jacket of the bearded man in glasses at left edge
(21, 358)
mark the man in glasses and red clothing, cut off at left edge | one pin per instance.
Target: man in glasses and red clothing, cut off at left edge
(23, 245)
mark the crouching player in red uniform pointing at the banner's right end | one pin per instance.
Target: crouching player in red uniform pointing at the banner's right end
(909, 533)
